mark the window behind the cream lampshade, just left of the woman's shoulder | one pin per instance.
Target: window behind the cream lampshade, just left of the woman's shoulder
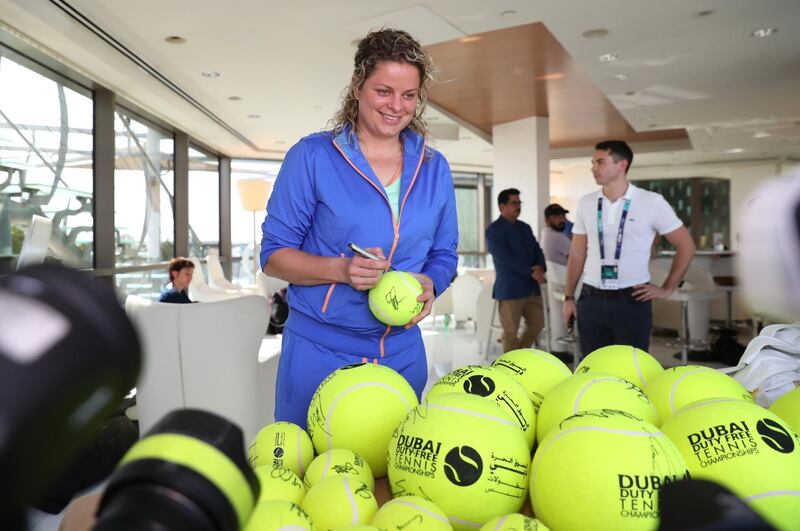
(246, 225)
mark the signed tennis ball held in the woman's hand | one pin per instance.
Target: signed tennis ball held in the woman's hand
(393, 300)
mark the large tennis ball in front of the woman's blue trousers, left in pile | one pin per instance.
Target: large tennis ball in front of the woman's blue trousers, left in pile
(357, 407)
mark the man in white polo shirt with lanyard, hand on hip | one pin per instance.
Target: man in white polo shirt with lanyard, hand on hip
(611, 244)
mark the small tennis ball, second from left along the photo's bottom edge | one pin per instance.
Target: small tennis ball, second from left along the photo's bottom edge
(339, 501)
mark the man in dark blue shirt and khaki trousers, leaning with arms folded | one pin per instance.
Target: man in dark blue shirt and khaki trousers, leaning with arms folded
(519, 263)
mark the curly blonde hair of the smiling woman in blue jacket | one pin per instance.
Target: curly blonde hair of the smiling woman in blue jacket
(385, 45)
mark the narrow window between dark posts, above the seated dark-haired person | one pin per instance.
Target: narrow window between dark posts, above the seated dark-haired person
(203, 202)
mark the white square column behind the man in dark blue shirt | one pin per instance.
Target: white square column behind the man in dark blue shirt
(522, 161)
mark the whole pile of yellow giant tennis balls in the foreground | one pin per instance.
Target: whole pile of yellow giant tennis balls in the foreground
(525, 444)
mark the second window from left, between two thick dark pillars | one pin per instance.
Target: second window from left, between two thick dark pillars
(144, 186)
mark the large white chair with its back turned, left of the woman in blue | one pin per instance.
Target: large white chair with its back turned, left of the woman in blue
(204, 356)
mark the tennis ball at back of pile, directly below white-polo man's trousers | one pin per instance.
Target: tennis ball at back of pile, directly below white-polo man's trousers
(625, 361)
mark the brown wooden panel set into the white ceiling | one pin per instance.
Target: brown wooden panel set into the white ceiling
(515, 73)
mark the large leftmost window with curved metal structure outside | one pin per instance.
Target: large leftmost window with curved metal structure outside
(45, 161)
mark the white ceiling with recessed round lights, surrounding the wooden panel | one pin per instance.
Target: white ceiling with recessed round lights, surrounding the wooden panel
(289, 61)
